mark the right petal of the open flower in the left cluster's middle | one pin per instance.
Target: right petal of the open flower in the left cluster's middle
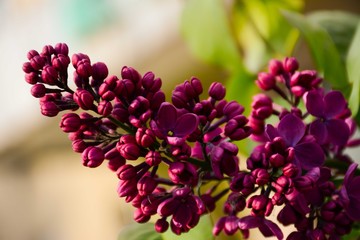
(186, 124)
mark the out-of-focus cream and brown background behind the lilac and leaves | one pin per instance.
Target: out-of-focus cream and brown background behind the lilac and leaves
(45, 192)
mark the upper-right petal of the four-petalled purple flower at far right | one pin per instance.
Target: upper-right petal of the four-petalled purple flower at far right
(335, 103)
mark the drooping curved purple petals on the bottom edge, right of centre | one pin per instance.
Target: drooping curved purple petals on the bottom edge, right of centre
(266, 227)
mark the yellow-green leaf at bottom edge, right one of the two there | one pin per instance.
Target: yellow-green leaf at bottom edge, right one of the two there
(202, 231)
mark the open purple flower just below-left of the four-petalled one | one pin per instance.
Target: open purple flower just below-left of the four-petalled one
(308, 154)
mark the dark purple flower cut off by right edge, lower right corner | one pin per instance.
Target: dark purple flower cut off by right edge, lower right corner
(350, 193)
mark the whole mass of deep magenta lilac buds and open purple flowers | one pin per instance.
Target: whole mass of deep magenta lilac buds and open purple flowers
(127, 122)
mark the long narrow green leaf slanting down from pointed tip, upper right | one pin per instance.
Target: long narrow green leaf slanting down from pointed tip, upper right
(325, 54)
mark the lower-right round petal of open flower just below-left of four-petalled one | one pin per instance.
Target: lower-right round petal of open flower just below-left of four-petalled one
(309, 155)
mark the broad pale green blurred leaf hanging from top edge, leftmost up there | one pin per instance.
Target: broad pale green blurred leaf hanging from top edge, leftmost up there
(205, 26)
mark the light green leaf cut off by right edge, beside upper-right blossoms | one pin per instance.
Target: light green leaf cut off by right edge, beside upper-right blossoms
(353, 70)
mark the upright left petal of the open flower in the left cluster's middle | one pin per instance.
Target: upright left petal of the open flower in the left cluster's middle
(166, 117)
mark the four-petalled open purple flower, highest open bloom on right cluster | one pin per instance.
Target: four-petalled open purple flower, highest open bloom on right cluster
(327, 128)
